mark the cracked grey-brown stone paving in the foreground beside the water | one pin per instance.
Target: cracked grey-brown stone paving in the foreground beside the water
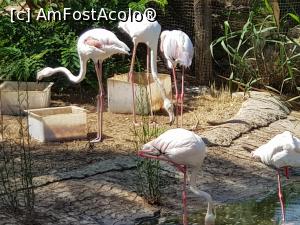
(105, 192)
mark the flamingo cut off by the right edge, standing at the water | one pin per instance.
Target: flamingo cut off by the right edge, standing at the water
(282, 151)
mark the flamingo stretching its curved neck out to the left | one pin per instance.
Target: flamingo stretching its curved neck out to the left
(98, 45)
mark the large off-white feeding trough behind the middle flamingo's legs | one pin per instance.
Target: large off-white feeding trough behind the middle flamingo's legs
(120, 94)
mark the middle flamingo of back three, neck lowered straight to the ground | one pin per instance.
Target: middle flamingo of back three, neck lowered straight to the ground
(146, 32)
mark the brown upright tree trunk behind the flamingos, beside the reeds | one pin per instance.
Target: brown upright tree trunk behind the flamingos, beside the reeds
(203, 36)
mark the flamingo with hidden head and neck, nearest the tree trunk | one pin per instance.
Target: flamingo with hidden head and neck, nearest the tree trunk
(178, 49)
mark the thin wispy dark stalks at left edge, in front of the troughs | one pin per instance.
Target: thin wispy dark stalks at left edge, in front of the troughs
(16, 180)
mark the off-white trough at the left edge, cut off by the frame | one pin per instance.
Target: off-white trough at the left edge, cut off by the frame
(18, 96)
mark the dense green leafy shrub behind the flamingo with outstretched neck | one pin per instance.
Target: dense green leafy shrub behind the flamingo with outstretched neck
(25, 48)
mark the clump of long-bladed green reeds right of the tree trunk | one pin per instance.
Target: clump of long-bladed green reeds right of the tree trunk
(260, 56)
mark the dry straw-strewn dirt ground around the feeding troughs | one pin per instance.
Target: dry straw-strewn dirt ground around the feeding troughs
(118, 132)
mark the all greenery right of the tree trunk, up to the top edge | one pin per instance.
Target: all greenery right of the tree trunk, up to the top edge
(263, 53)
